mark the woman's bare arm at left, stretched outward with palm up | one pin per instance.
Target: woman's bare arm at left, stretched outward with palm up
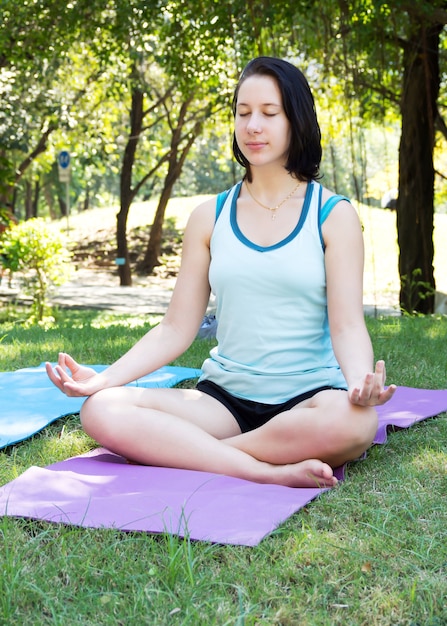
(175, 332)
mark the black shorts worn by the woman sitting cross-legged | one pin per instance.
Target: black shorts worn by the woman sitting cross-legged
(249, 414)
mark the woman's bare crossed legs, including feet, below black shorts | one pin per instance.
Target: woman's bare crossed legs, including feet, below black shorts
(187, 429)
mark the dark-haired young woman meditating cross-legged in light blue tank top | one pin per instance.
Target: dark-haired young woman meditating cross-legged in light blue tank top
(289, 392)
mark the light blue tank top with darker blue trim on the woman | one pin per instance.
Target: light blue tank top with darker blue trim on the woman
(273, 333)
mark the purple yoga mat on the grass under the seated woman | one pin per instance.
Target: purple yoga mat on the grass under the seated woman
(100, 489)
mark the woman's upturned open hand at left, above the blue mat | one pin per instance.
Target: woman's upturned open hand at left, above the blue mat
(82, 380)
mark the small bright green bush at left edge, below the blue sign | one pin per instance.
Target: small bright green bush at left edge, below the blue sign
(37, 251)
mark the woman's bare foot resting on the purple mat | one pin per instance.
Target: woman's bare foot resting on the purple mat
(309, 473)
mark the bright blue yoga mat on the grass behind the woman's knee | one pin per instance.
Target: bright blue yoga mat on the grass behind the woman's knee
(30, 401)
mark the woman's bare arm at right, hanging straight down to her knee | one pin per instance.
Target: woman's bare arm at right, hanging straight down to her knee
(352, 345)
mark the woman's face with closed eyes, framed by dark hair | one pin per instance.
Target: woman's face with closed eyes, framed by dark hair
(262, 129)
